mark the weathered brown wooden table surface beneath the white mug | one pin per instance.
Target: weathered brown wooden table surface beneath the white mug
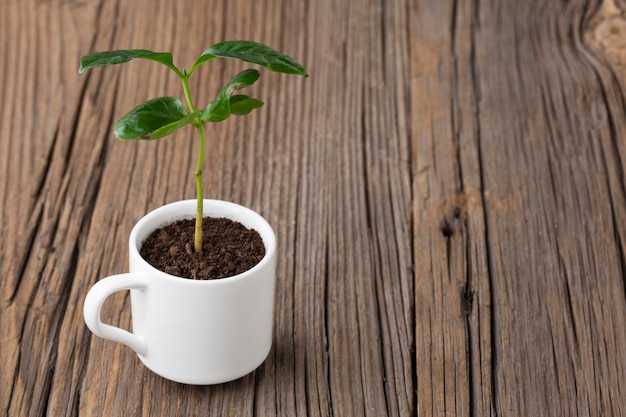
(448, 188)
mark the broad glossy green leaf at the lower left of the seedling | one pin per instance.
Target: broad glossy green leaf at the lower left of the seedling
(154, 119)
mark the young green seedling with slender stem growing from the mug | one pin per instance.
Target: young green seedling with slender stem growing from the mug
(162, 116)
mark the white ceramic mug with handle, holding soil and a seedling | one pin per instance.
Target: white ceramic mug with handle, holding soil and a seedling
(193, 331)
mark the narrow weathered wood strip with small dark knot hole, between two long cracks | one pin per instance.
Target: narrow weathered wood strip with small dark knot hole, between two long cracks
(453, 292)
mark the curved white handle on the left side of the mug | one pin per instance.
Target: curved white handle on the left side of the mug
(93, 304)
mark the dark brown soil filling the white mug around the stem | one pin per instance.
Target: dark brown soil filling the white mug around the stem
(229, 248)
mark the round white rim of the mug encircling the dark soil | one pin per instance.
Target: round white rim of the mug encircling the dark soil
(267, 235)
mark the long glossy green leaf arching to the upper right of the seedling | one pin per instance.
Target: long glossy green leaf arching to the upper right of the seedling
(252, 52)
